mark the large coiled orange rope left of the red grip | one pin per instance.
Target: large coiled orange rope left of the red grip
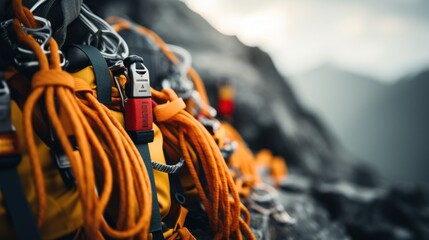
(84, 114)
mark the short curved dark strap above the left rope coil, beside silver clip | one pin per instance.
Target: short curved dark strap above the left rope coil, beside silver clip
(101, 72)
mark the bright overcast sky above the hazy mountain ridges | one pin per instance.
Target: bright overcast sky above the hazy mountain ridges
(386, 39)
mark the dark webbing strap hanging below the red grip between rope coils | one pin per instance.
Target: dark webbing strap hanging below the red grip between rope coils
(141, 139)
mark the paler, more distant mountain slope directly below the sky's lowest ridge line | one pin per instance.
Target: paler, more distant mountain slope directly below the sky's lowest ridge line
(337, 96)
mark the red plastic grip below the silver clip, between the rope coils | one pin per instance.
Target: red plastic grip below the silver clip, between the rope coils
(138, 114)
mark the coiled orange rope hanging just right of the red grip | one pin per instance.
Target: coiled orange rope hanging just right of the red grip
(220, 197)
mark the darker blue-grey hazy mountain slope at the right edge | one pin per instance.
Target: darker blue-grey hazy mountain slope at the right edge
(397, 130)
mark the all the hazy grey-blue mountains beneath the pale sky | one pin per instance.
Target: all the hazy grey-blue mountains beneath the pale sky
(384, 124)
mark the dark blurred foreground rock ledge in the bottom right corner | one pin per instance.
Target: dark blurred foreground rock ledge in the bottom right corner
(341, 210)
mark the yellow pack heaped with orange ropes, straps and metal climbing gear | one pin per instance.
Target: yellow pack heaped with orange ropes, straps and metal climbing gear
(94, 133)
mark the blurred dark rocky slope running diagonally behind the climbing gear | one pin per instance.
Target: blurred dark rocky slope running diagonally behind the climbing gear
(328, 193)
